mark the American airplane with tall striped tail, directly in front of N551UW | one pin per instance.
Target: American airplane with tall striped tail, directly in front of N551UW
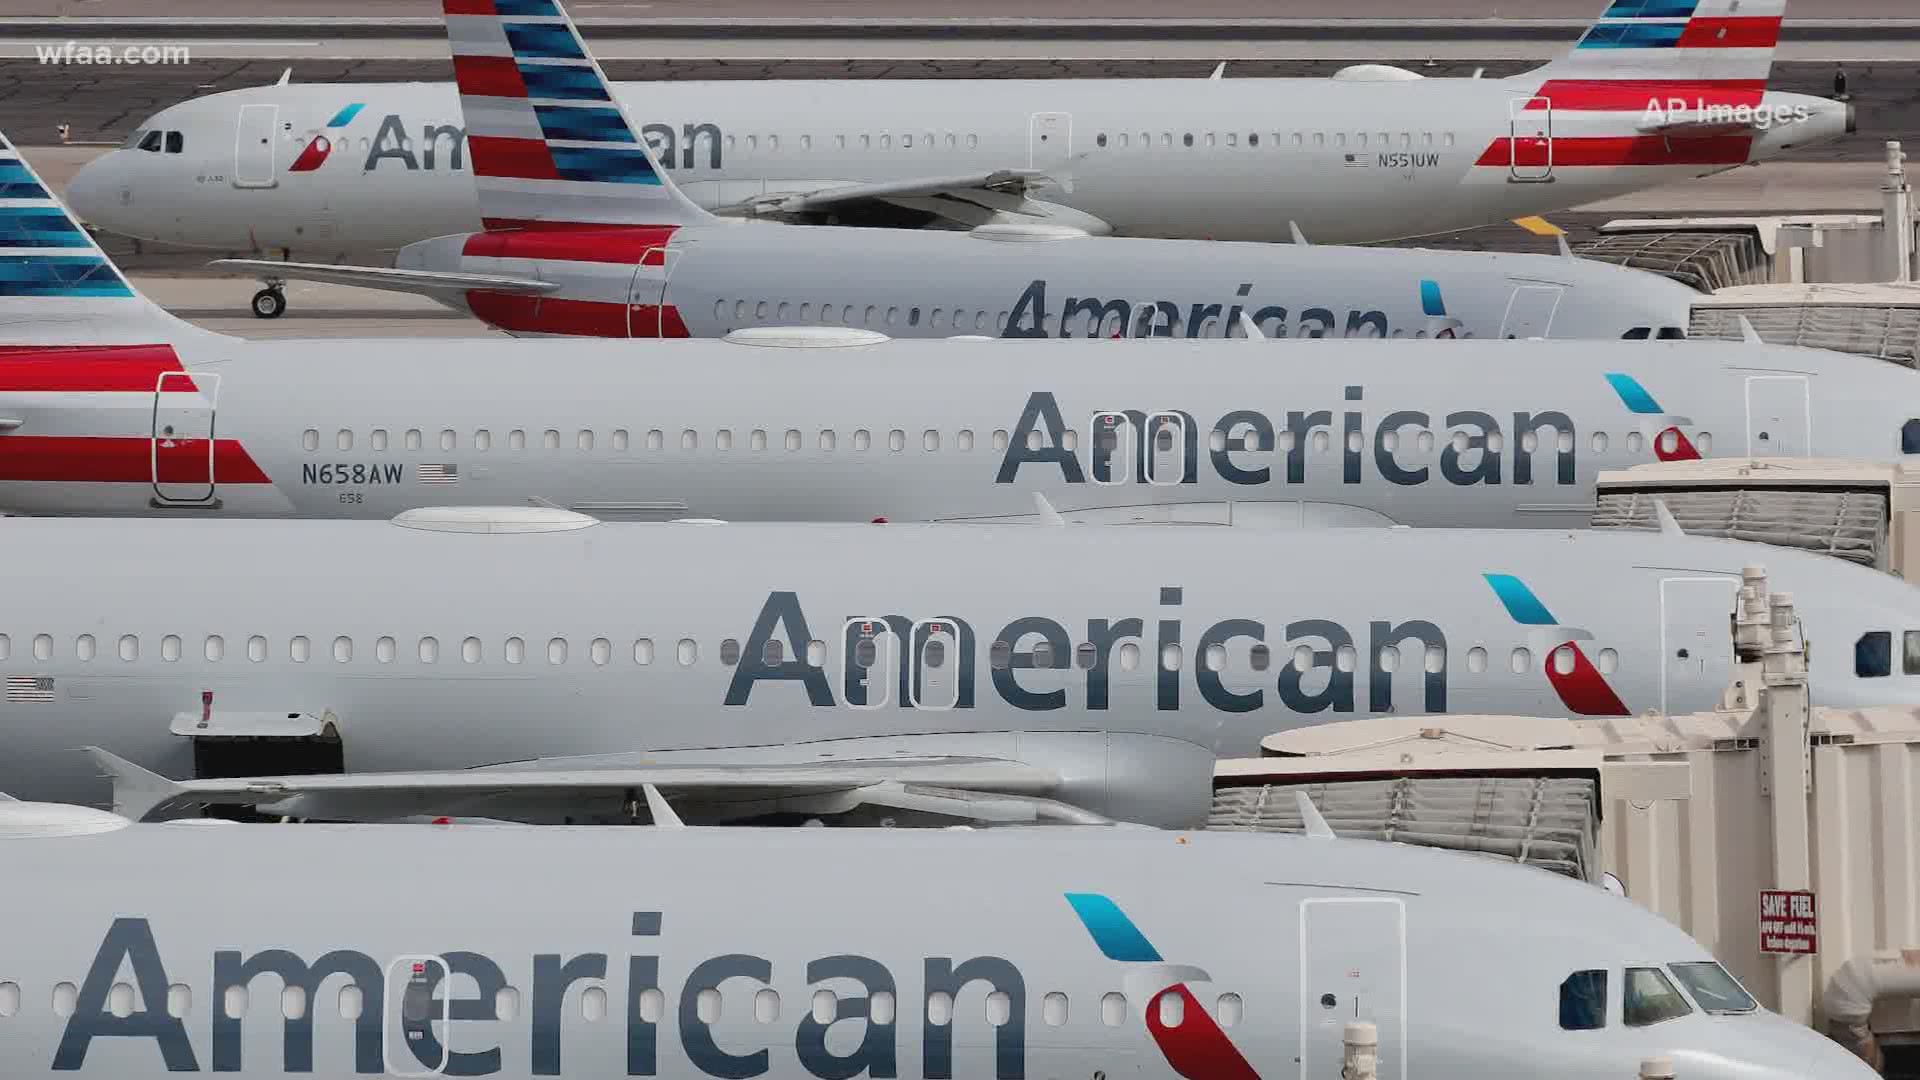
(590, 235)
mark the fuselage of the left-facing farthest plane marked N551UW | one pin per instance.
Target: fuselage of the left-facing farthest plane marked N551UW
(1228, 160)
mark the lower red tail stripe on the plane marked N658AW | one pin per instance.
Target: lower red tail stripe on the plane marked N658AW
(124, 460)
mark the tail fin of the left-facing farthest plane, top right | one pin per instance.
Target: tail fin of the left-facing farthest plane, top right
(1643, 51)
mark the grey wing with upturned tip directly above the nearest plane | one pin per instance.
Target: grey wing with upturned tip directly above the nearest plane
(969, 789)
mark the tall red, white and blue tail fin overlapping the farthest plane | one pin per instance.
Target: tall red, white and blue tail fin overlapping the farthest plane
(548, 143)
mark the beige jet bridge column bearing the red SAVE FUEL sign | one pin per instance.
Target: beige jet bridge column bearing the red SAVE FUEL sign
(1787, 768)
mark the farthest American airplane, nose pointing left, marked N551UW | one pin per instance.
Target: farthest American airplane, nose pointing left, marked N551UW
(1650, 95)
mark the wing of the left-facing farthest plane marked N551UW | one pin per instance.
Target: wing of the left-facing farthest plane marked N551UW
(965, 199)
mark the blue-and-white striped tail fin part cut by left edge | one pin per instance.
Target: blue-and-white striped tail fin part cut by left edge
(57, 285)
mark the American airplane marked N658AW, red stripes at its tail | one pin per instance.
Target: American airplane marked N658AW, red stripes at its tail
(112, 406)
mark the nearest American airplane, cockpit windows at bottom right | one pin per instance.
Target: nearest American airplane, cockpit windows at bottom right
(402, 950)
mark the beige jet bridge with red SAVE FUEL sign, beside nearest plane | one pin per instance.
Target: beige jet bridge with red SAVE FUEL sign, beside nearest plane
(1691, 816)
